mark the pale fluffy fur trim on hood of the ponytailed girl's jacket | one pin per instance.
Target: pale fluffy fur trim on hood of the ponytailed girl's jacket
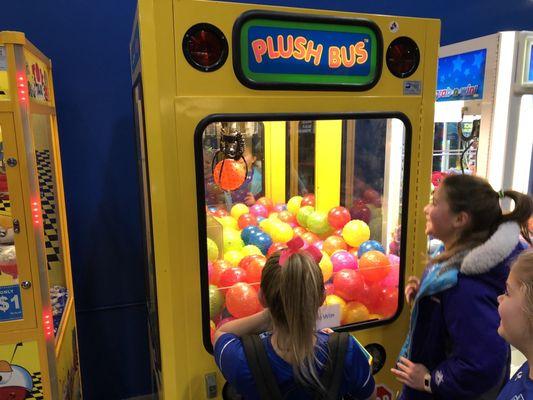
(496, 249)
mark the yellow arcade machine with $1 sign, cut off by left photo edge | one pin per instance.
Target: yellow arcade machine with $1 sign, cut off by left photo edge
(38, 345)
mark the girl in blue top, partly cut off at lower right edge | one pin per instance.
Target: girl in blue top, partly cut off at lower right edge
(516, 326)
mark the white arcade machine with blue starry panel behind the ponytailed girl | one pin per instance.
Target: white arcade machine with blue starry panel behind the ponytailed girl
(484, 109)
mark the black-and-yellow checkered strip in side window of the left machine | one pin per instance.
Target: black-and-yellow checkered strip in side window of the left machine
(48, 205)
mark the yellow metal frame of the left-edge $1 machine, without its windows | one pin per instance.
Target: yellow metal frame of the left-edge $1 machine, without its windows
(55, 355)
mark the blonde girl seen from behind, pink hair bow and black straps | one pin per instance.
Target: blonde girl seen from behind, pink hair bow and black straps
(291, 360)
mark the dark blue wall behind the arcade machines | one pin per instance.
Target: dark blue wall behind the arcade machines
(88, 44)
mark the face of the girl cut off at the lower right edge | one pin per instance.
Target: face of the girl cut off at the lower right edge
(514, 326)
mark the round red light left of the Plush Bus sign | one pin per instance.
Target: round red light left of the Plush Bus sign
(205, 47)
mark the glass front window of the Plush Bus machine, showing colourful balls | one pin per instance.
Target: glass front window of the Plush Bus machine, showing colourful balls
(352, 214)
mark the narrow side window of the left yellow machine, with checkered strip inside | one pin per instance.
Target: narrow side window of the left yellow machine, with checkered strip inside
(42, 134)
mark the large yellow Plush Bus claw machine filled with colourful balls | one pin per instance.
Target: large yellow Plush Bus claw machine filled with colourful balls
(256, 124)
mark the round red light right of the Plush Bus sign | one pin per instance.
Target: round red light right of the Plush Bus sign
(403, 57)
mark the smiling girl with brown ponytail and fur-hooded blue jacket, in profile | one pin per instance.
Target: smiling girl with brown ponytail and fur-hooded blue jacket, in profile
(453, 350)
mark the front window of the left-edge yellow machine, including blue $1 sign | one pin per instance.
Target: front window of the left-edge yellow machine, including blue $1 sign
(10, 299)
